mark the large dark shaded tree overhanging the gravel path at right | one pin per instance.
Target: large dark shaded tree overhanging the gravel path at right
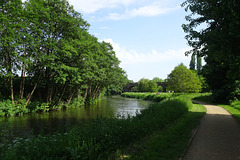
(218, 42)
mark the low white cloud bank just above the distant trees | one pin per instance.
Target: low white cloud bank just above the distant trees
(149, 65)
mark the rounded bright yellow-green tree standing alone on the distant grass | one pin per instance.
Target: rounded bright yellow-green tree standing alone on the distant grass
(183, 80)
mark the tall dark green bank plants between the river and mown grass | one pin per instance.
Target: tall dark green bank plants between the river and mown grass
(97, 139)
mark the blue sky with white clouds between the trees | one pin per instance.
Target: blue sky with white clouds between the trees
(146, 34)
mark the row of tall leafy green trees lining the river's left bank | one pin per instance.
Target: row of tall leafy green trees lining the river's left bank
(47, 57)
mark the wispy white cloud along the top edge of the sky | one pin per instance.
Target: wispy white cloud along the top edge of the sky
(128, 8)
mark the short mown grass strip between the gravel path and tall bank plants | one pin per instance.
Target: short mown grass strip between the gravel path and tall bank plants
(169, 143)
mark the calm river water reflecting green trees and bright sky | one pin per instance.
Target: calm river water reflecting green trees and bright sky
(111, 106)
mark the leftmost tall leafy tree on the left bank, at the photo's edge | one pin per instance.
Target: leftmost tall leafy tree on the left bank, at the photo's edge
(10, 39)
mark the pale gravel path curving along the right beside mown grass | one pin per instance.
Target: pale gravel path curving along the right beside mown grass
(217, 138)
